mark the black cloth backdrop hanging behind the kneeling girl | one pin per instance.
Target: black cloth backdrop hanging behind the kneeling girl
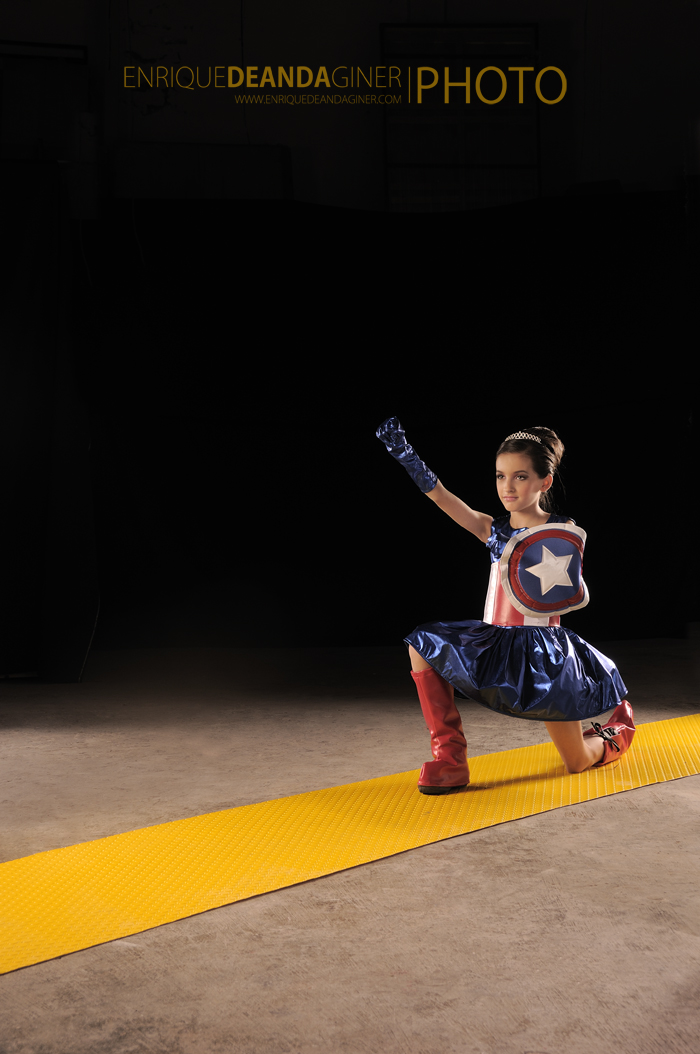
(230, 363)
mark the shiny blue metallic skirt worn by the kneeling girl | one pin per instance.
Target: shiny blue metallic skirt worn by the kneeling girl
(539, 673)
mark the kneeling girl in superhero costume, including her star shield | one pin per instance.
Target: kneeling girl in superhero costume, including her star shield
(518, 660)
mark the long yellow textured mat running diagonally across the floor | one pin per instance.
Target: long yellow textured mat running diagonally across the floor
(73, 899)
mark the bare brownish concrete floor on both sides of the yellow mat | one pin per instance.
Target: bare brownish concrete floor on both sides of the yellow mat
(572, 932)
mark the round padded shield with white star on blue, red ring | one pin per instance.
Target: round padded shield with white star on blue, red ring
(542, 571)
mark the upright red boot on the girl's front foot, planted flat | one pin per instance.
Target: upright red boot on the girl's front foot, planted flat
(450, 771)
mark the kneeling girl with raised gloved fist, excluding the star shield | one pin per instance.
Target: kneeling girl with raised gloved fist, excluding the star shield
(532, 668)
